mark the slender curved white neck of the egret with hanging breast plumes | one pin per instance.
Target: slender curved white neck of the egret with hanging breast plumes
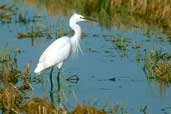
(75, 38)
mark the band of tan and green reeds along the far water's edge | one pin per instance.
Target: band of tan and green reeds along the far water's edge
(114, 12)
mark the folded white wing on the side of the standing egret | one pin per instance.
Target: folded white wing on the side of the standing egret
(57, 52)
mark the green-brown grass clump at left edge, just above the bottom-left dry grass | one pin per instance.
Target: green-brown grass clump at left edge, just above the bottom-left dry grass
(9, 71)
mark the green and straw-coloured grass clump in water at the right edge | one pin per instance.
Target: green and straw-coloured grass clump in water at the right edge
(157, 65)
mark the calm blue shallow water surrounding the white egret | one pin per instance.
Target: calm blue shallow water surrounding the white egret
(105, 72)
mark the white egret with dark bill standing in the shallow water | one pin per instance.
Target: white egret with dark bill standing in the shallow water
(58, 52)
